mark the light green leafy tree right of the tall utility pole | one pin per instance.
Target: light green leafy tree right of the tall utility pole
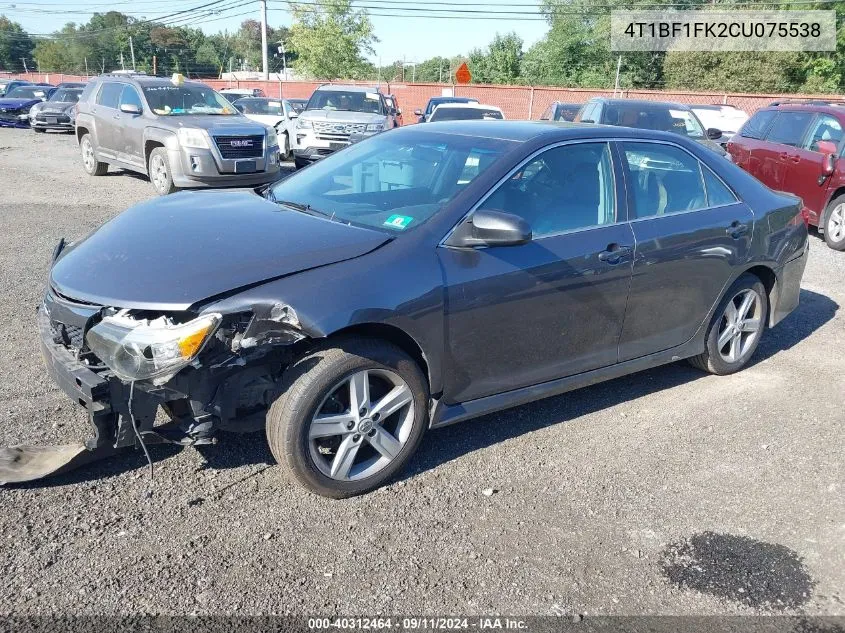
(331, 39)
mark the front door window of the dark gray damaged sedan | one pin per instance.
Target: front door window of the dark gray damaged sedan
(563, 189)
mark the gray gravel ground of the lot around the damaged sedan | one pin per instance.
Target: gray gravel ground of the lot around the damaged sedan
(667, 492)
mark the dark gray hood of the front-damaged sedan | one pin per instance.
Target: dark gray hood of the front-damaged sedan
(172, 252)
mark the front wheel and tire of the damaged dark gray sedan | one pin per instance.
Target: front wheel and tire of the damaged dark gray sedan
(351, 414)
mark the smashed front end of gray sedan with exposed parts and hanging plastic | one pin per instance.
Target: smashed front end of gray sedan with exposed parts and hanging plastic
(206, 371)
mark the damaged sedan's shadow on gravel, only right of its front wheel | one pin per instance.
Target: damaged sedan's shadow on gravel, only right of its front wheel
(452, 442)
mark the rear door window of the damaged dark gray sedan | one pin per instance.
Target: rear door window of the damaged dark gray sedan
(664, 179)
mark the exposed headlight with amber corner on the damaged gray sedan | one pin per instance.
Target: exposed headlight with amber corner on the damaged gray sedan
(143, 350)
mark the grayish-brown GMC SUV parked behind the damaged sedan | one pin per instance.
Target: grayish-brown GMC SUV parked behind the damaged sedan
(179, 133)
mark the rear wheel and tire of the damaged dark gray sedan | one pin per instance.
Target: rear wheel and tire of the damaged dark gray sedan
(736, 328)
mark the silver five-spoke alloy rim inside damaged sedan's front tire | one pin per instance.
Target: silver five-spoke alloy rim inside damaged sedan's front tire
(362, 425)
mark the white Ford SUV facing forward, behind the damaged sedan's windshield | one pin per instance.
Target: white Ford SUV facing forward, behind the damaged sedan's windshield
(333, 114)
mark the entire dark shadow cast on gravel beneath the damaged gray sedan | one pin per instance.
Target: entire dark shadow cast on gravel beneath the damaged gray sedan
(236, 450)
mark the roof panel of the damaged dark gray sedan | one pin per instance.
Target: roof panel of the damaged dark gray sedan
(523, 131)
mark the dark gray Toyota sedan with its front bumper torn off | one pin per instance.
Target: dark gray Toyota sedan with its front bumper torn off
(419, 278)
